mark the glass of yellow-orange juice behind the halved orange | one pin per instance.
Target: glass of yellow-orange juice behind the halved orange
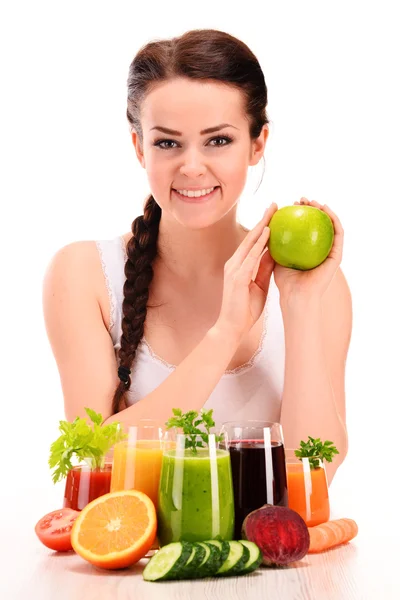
(137, 461)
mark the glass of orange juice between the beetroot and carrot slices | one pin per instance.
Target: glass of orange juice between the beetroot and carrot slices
(307, 488)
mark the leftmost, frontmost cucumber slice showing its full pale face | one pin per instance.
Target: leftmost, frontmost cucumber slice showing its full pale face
(168, 561)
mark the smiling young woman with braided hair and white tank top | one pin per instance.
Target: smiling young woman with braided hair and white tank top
(188, 309)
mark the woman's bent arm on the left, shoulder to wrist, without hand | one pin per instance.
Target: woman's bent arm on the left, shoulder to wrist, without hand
(85, 355)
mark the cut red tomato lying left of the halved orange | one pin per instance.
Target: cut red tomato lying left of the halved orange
(54, 530)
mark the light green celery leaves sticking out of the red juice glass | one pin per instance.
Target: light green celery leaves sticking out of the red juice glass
(84, 441)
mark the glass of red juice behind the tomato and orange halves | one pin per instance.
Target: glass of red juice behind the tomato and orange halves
(87, 481)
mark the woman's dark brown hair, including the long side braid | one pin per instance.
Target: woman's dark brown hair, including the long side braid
(200, 54)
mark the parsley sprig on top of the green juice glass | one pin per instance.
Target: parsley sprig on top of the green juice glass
(190, 424)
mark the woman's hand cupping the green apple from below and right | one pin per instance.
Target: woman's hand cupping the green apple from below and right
(313, 283)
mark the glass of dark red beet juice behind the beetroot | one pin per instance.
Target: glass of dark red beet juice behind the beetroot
(258, 466)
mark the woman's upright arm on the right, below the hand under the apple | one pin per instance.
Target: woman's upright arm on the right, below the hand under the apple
(317, 338)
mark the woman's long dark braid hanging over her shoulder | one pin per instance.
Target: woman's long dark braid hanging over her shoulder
(141, 251)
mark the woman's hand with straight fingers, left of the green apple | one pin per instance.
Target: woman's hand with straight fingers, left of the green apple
(246, 279)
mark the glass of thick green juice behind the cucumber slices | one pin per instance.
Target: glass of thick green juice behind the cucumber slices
(195, 496)
